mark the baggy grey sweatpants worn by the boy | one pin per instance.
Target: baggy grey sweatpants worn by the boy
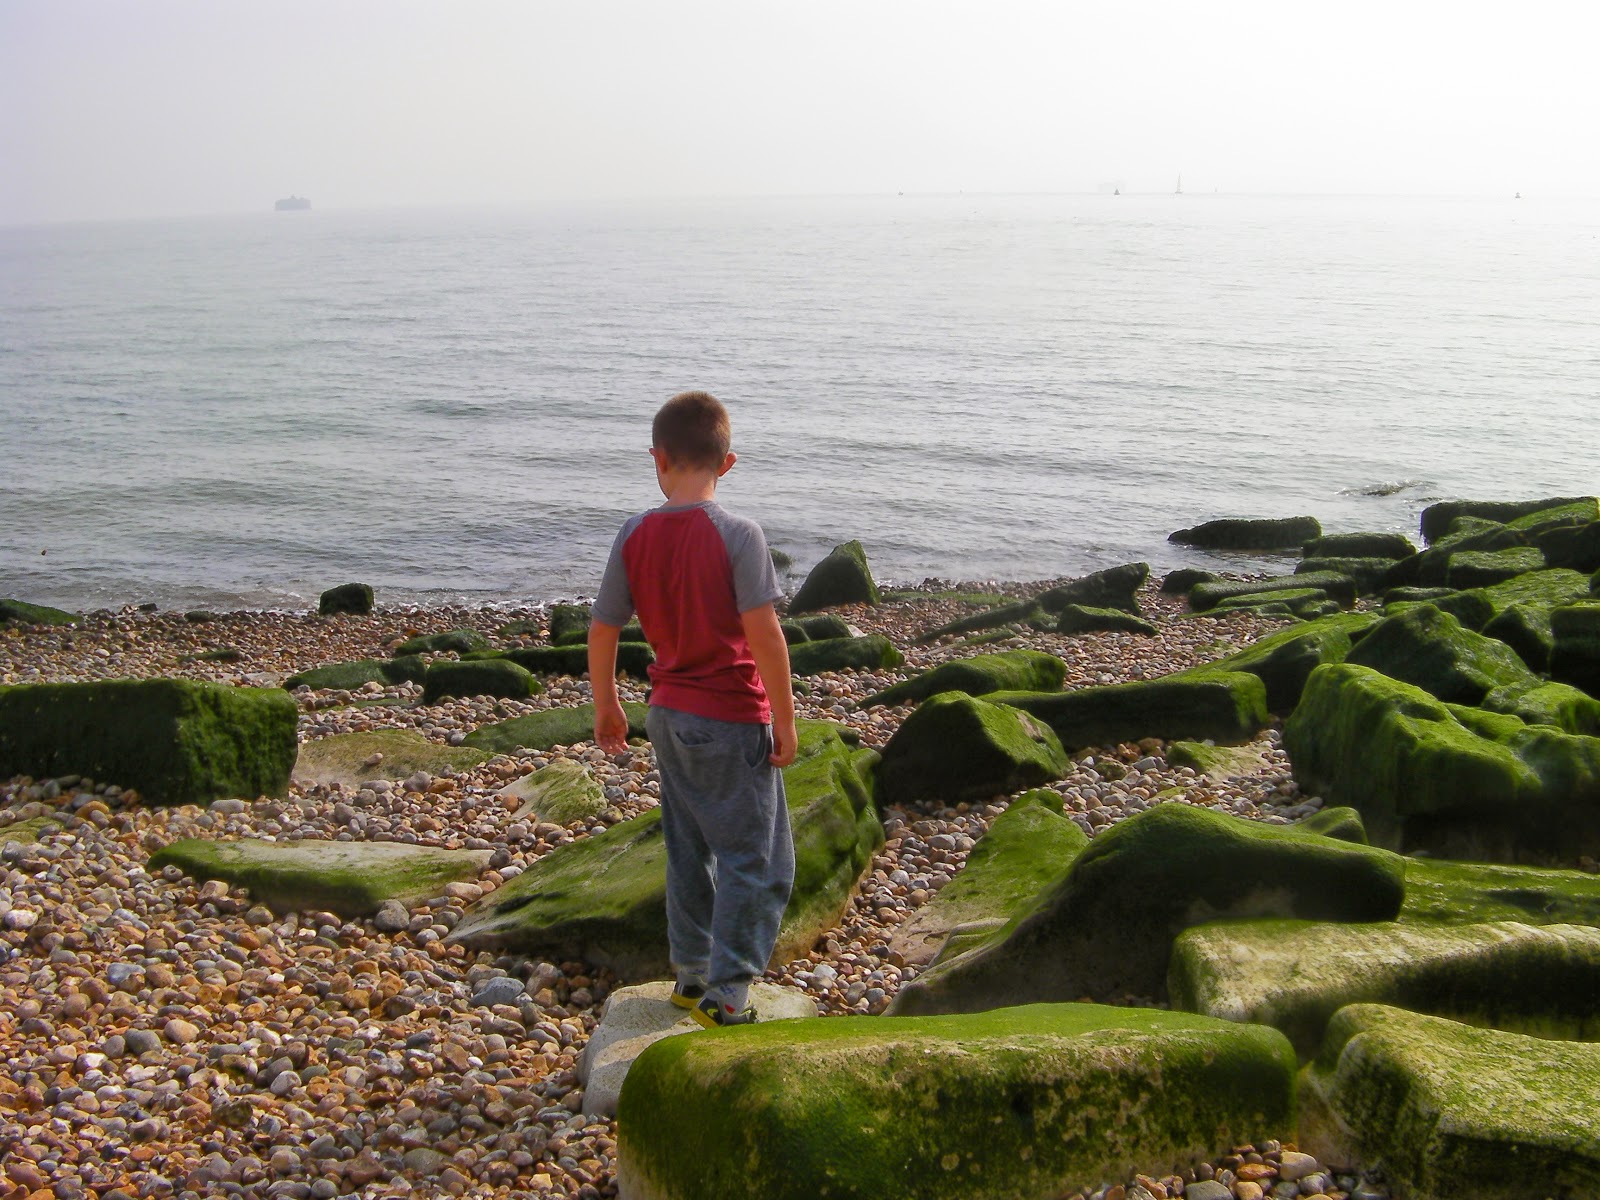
(730, 854)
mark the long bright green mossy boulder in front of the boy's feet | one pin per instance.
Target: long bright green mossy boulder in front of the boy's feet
(1022, 1105)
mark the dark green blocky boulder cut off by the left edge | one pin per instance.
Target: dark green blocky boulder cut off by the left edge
(177, 742)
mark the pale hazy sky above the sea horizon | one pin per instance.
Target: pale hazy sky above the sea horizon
(146, 108)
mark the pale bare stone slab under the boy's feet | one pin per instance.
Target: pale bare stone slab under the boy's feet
(639, 1017)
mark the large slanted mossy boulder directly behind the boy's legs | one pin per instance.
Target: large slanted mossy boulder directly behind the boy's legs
(604, 898)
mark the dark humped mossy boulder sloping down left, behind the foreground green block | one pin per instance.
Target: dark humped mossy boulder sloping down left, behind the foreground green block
(1105, 930)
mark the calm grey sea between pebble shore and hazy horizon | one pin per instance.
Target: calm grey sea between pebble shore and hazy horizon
(455, 406)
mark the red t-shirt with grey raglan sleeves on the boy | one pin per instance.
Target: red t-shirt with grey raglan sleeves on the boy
(690, 572)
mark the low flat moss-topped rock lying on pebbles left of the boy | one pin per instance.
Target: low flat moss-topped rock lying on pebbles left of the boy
(351, 879)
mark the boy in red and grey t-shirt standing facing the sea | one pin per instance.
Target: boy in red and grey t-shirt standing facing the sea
(721, 710)
